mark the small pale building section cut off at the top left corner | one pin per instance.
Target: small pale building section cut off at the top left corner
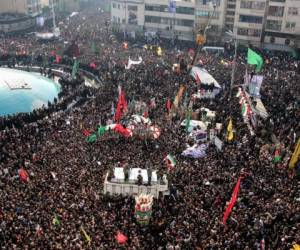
(27, 7)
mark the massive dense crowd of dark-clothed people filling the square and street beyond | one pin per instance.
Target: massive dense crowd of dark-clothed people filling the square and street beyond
(66, 173)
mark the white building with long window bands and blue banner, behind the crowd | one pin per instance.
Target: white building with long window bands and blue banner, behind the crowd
(171, 19)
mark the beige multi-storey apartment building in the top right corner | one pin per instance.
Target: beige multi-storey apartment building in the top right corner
(268, 23)
